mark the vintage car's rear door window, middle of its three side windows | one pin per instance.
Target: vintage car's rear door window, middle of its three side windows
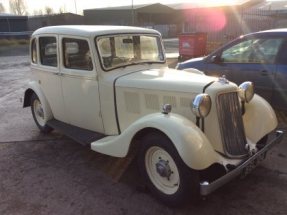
(48, 51)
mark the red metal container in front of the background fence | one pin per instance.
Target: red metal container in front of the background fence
(192, 45)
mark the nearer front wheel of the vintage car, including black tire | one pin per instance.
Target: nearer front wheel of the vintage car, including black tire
(167, 177)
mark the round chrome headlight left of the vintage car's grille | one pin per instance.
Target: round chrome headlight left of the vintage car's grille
(201, 105)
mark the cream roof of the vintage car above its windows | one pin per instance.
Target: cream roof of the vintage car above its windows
(92, 30)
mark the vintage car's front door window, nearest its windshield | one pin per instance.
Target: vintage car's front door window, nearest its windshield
(77, 54)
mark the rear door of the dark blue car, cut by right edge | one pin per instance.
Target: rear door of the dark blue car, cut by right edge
(279, 97)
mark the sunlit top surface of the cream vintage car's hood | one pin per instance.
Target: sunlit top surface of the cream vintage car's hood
(166, 79)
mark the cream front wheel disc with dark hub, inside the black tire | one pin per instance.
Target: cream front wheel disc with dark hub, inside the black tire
(162, 170)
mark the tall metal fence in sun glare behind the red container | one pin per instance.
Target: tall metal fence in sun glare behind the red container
(234, 24)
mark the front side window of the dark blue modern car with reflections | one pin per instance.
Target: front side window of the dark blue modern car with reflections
(253, 51)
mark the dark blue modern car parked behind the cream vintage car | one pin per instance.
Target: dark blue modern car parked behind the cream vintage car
(259, 57)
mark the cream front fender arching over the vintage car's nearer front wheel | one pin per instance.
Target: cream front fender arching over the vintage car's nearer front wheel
(190, 142)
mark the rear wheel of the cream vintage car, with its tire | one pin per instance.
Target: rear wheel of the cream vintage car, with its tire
(39, 115)
